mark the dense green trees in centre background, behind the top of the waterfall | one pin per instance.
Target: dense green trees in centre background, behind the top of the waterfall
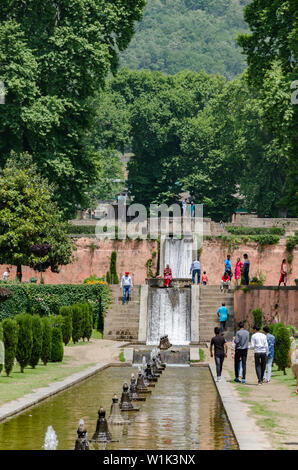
(194, 132)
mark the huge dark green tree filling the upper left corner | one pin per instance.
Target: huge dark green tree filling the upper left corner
(54, 57)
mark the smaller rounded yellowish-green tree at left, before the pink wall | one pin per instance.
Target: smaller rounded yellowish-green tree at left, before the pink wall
(29, 218)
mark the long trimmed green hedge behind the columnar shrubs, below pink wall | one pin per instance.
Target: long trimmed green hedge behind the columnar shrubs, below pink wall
(47, 299)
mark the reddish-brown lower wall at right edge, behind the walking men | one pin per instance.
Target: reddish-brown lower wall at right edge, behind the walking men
(277, 304)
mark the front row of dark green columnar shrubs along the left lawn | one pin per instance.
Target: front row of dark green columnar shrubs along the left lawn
(29, 338)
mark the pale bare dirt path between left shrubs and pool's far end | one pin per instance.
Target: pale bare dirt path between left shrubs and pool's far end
(96, 350)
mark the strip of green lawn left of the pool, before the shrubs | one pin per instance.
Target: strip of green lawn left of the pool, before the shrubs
(18, 384)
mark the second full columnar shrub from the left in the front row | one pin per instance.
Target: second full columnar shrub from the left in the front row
(25, 341)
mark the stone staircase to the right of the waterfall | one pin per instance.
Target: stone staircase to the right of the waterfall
(211, 299)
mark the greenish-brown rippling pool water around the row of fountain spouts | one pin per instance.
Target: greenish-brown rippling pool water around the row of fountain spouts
(184, 411)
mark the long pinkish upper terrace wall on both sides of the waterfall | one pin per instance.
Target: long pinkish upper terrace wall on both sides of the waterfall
(93, 257)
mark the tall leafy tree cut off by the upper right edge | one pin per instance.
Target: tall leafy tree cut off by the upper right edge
(272, 55)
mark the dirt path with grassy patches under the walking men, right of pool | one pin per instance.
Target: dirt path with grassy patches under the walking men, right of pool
(274, 405)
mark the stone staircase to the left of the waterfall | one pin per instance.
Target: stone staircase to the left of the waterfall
(122, 321)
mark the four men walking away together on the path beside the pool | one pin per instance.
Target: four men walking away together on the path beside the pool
(263, 344)
